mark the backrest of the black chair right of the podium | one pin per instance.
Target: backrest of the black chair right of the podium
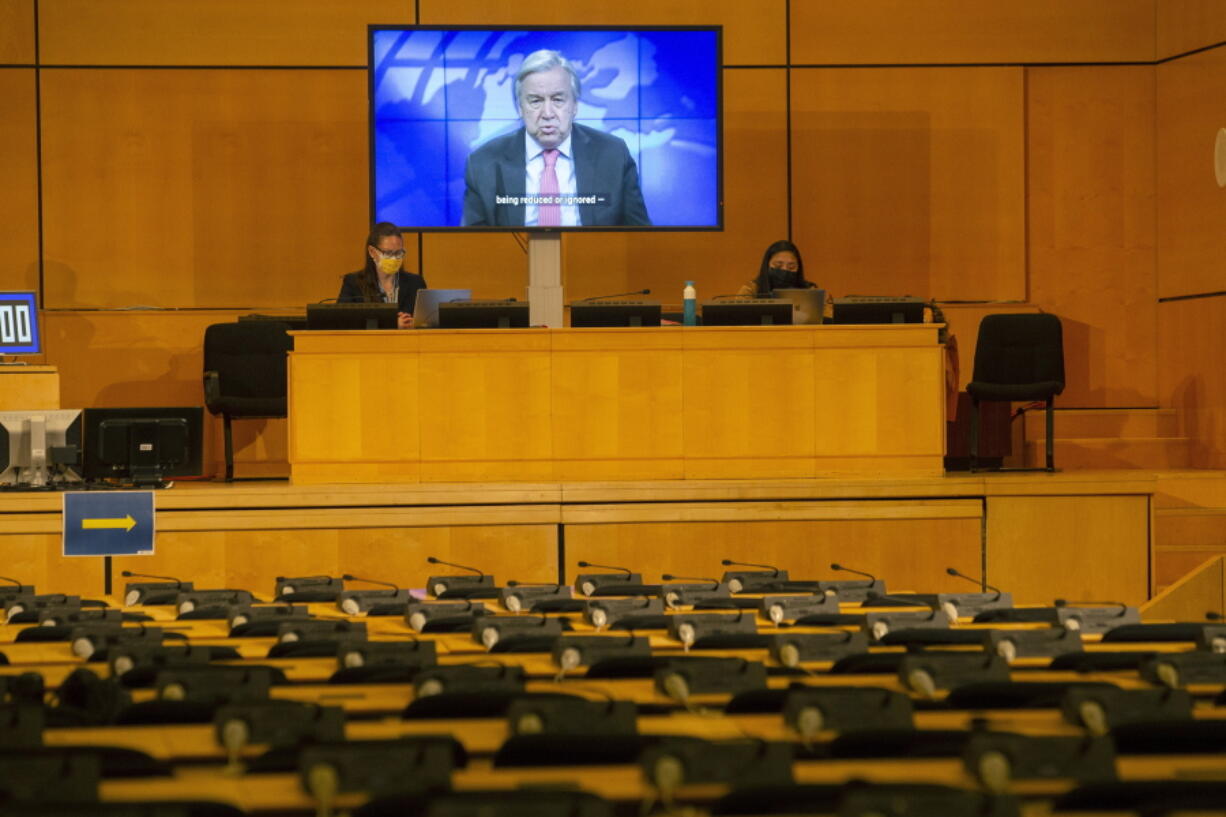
(1019, 349)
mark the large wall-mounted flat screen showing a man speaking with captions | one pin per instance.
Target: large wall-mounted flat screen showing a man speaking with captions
(546, 128)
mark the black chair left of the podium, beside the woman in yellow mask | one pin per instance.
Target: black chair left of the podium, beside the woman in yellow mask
(246, 374)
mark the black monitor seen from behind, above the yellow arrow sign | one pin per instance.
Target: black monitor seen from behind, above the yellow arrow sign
(144, 446)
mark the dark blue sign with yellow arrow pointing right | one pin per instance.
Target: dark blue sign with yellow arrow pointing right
(112, 523)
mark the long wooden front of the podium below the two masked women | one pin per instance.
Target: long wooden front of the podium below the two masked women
(539, 405)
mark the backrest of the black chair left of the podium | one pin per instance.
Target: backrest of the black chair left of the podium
(249, 358)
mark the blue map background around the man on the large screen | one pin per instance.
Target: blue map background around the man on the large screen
(441, 94)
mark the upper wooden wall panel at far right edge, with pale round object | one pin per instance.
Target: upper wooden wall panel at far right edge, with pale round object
(1191, 207)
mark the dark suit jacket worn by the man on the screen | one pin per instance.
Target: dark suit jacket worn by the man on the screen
(603, 166)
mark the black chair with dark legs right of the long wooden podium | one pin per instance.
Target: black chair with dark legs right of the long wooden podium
(1018, 358)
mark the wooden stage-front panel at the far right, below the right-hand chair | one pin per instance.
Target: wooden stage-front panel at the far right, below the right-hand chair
(1073, 548)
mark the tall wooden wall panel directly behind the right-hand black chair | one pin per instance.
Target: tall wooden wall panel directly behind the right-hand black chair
(1091, 138)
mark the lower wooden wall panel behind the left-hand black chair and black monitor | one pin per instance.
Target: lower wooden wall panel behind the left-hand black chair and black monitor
(154, 359)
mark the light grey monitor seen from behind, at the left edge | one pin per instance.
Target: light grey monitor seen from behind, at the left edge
(41, 450)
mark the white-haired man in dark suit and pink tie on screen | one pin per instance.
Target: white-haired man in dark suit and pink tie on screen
(552, 172)
